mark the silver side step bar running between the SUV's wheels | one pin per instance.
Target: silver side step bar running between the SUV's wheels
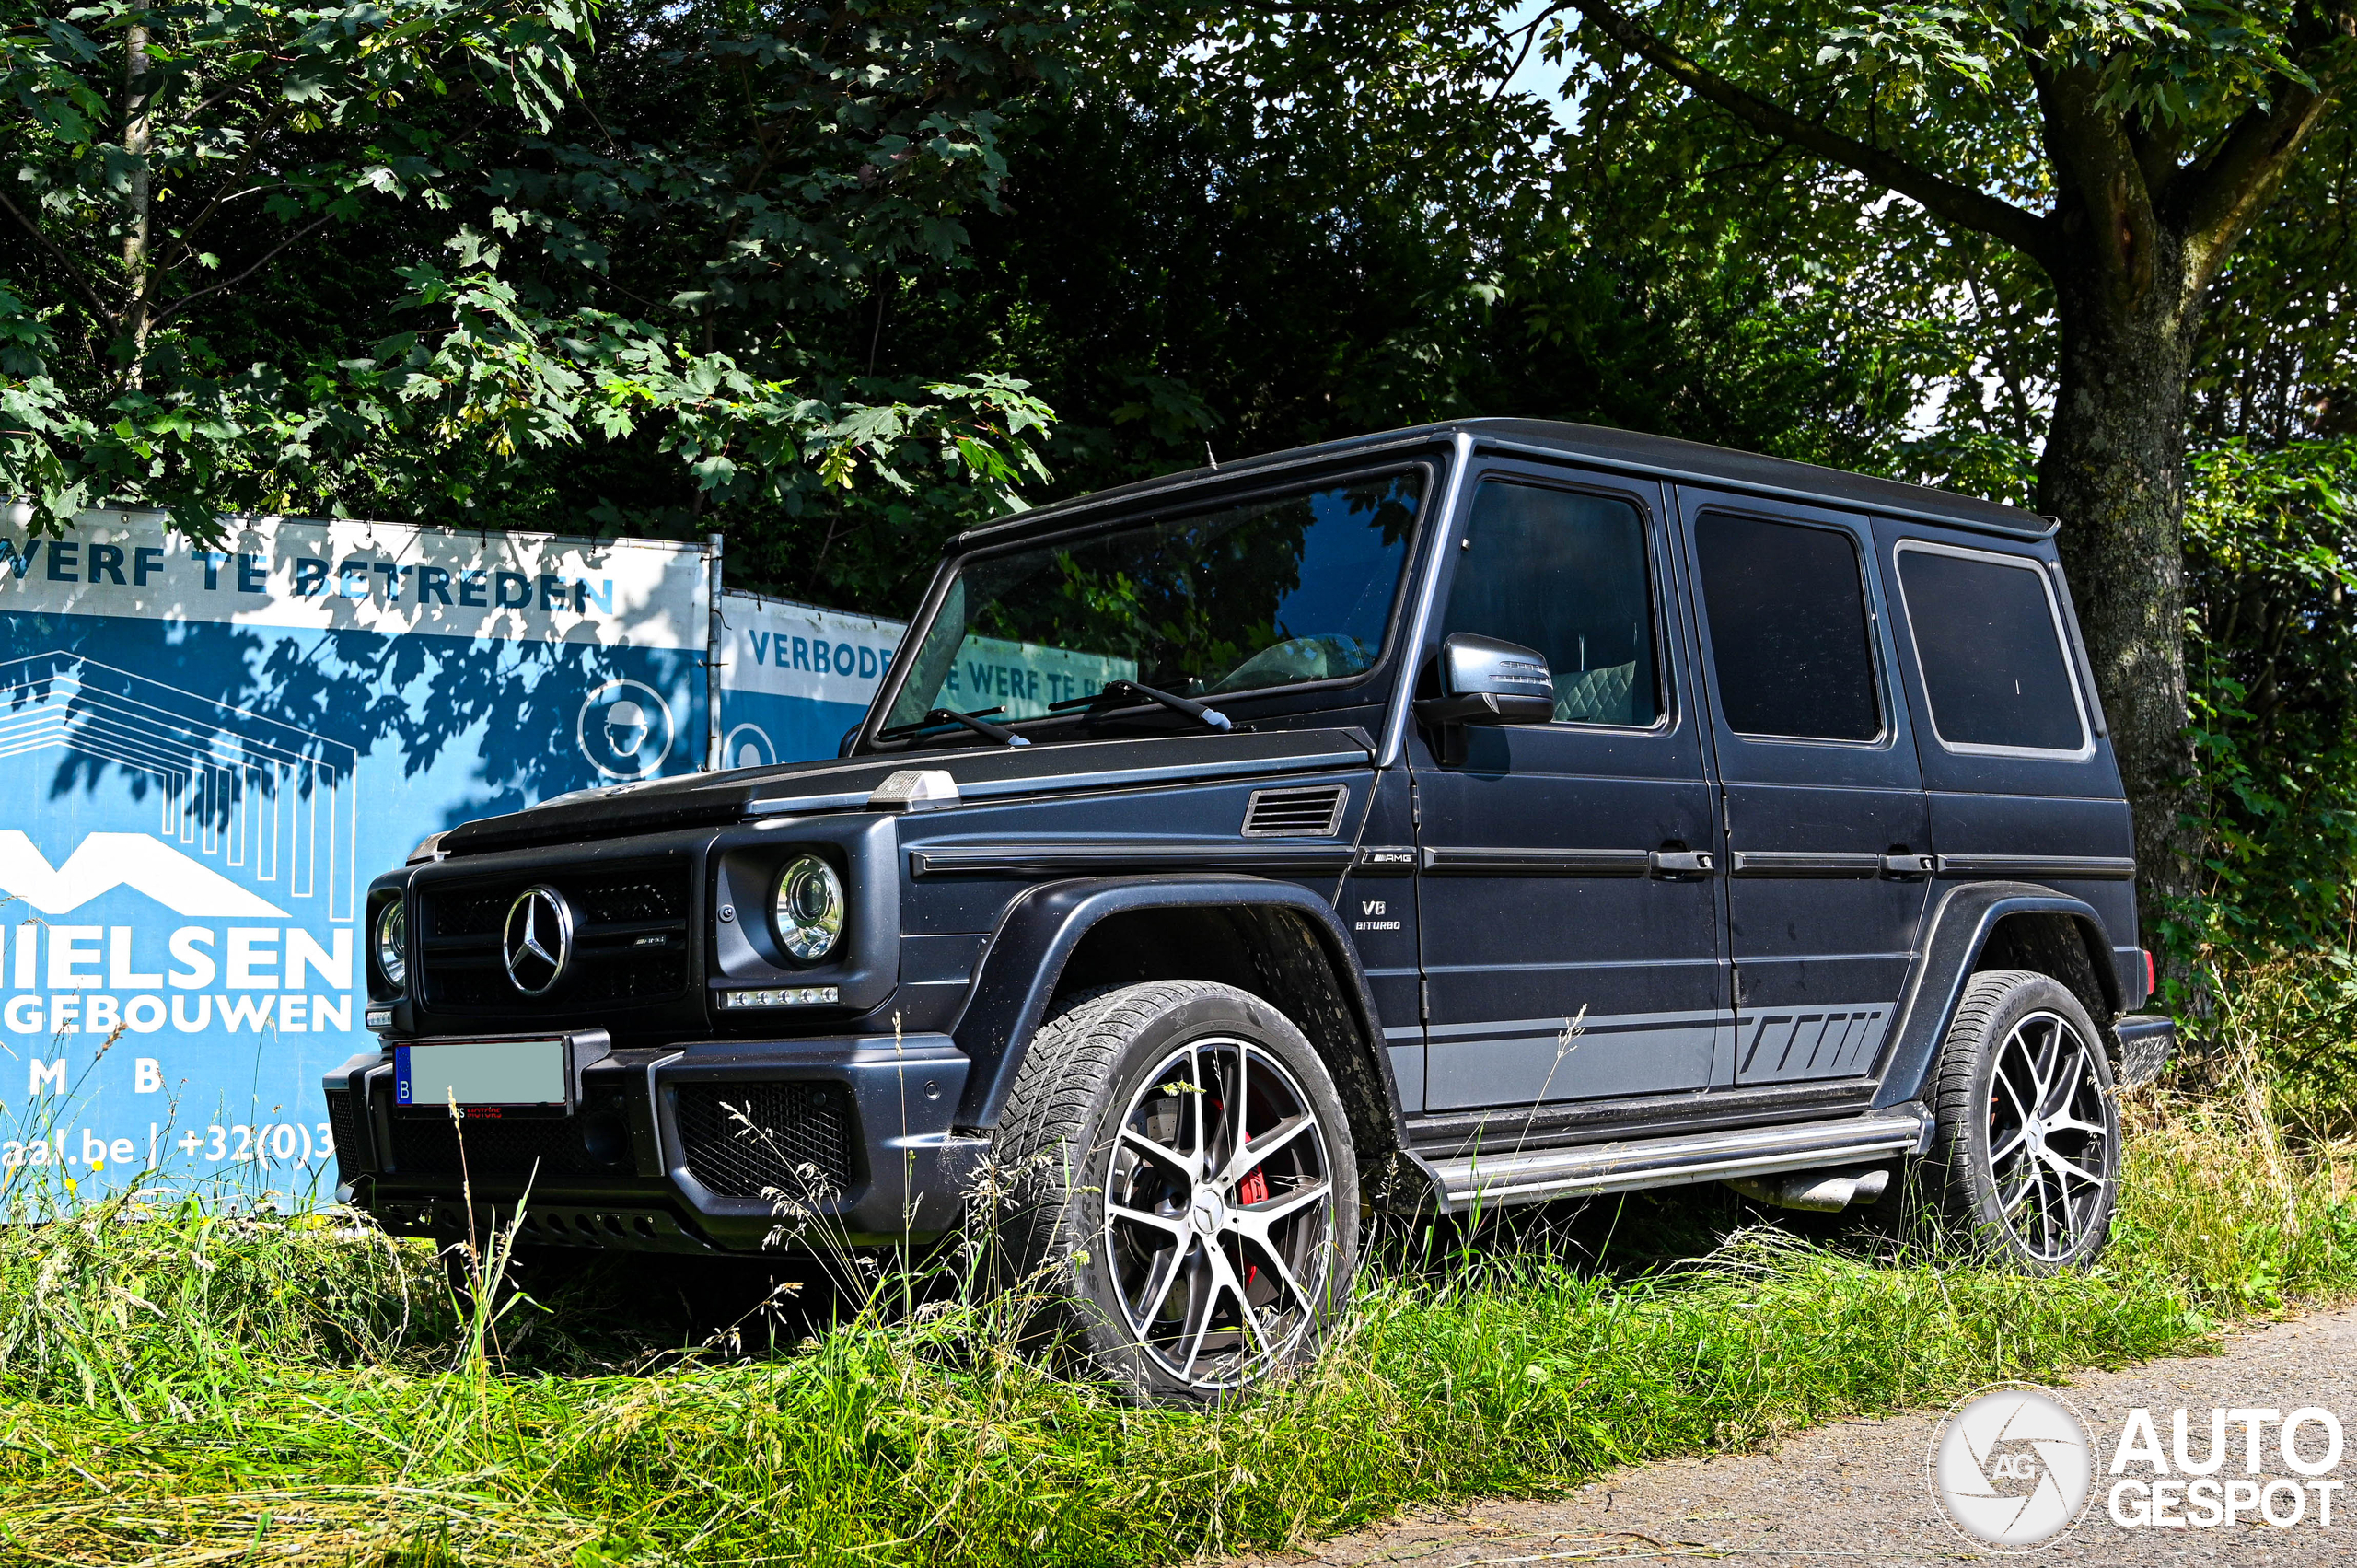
(1616, 1168)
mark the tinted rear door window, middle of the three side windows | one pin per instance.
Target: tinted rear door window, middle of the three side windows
(1790, 635)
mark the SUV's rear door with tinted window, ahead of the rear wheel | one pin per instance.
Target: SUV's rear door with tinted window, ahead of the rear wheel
(1825, 817)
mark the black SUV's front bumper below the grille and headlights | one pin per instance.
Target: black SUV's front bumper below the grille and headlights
(711, 1147)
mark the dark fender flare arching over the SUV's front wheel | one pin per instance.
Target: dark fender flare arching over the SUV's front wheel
(1041, 930)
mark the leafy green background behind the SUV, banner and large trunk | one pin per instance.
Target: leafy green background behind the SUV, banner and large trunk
(843, 279)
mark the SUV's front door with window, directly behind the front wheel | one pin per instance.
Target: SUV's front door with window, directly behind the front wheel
(1569, 911)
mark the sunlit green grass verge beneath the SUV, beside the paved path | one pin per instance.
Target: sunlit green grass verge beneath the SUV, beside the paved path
(190, 1388)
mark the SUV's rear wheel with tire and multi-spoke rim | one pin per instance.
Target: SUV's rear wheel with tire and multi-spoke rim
(2026, 1152)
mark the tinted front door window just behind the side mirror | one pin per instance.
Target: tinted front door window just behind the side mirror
(1564, 574)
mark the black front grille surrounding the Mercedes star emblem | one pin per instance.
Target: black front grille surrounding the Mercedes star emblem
(630, 940)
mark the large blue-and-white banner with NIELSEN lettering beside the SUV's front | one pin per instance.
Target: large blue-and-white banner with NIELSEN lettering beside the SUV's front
(209, 758)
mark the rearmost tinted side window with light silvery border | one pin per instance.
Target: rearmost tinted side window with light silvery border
(1990, 650)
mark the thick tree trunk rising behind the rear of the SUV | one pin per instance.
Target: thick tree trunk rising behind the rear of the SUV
(2113, 473)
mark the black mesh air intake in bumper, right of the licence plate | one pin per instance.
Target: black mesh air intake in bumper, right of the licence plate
(751, 1140)
